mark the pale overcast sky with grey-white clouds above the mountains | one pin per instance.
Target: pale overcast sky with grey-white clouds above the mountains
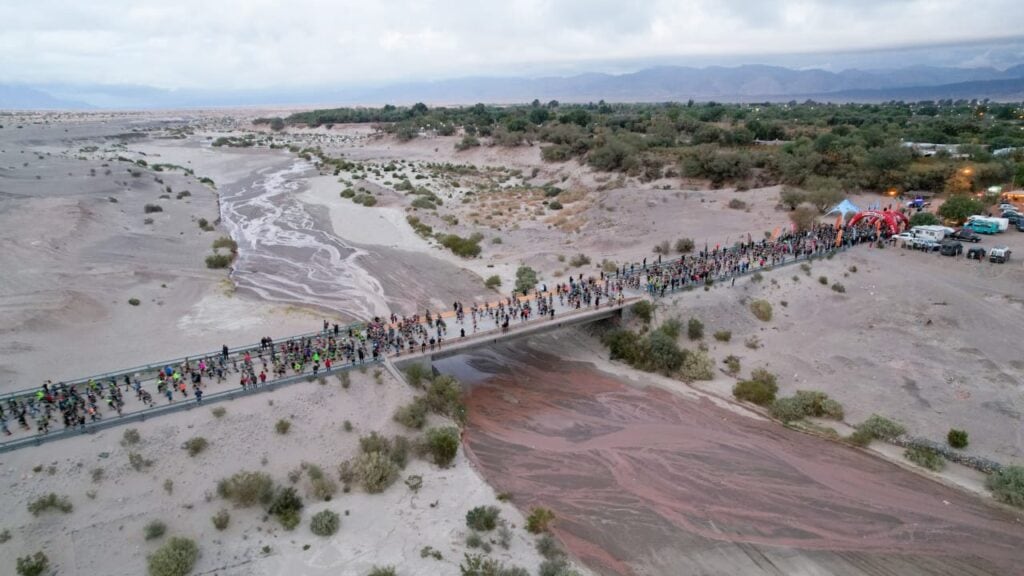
(264, 44)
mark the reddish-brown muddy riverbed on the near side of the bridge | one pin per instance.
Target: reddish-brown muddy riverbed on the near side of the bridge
(645, 482)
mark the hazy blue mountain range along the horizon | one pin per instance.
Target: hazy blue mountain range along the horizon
(742, 84)
